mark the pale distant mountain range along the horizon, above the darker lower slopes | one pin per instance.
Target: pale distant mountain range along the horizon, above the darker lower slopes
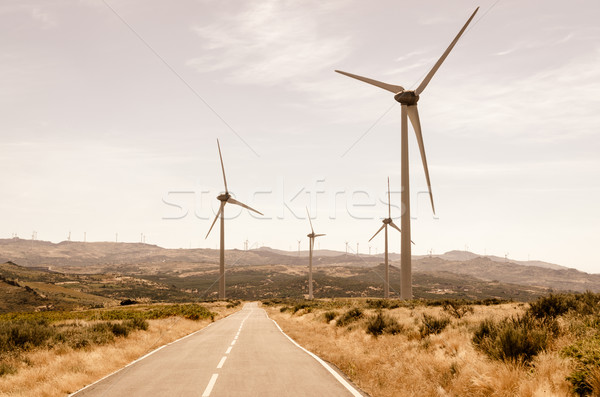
(145, 260)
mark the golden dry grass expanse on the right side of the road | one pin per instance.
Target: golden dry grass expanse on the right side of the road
(446, 364)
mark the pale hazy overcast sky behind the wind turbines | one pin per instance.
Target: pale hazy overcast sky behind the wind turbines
(110, 111)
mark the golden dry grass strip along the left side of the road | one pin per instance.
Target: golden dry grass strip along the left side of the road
(62, 370)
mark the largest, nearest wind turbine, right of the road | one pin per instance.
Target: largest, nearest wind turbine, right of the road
(408, 99)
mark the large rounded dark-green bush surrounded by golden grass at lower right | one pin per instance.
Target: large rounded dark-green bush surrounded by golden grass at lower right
(517, 339)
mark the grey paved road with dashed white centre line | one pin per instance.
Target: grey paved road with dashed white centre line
(245, 354)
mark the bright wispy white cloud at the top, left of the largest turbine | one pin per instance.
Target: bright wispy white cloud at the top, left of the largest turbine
(268, 44)
